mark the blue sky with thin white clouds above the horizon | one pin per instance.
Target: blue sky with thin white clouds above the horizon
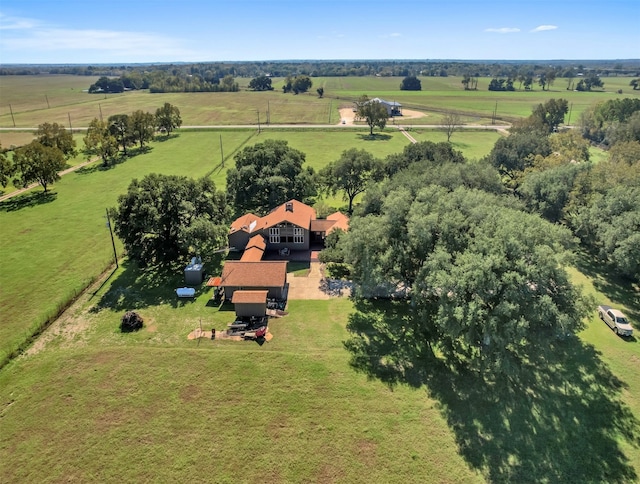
(147, 31)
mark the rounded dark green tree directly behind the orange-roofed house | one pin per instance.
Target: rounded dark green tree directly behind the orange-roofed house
(268, 174)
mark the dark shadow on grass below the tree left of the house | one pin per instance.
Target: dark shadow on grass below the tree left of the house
(135, 288)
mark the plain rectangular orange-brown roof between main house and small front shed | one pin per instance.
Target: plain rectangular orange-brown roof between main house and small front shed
(254, 274)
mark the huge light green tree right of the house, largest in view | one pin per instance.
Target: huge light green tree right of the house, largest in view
(486, 282)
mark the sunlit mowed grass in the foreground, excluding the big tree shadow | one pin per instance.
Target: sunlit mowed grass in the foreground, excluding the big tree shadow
(291, 410)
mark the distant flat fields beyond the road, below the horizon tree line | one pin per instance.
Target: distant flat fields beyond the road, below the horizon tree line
(28, 96)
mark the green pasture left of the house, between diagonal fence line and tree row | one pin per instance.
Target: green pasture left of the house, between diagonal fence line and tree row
(52, 246)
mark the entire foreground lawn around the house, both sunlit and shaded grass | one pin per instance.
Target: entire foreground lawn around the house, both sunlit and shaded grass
(90, 403)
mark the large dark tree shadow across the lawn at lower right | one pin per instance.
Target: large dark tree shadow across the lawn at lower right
(562, 420)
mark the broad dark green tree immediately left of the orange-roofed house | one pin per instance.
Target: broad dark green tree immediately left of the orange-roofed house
(164, 218)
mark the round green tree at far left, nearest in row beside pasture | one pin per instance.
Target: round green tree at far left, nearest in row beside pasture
(36, 162)
